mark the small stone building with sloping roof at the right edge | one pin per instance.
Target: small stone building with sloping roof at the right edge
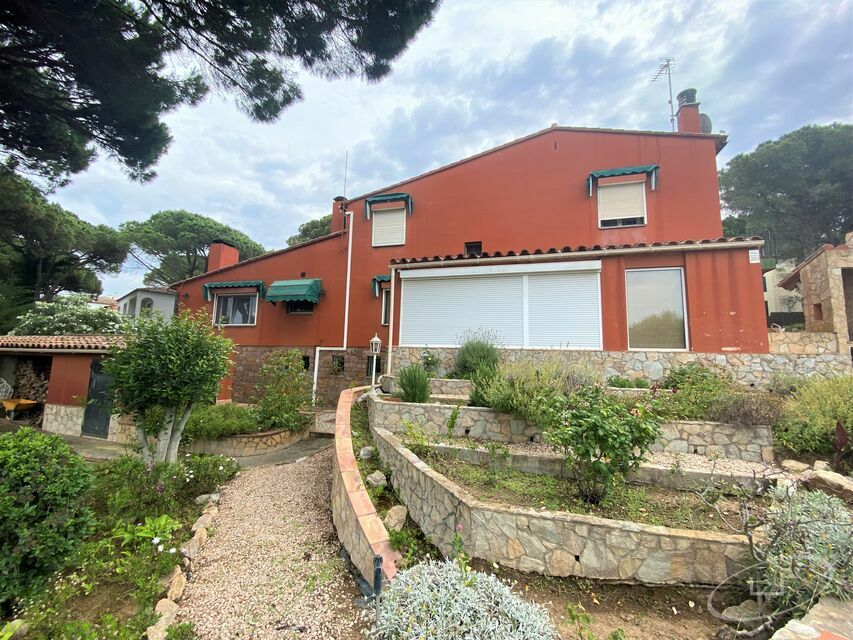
(825, 282)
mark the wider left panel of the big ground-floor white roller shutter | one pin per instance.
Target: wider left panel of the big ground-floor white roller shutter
(435, 311)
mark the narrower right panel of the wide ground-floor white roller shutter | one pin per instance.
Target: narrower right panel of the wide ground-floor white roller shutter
(563, 310)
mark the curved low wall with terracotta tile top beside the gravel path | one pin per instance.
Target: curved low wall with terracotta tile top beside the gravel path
(359, 527)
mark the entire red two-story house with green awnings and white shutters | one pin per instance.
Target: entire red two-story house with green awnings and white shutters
(596, 242)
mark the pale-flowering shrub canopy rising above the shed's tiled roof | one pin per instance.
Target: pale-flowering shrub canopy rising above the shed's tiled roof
(68, 314)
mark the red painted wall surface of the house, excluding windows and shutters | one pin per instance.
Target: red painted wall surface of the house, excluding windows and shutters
(529, 194)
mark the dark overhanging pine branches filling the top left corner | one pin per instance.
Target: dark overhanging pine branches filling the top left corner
(76, 74)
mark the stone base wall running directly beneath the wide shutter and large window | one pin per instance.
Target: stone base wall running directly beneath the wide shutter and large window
(753, 369)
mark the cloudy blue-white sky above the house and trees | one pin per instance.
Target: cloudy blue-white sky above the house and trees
(482, 73)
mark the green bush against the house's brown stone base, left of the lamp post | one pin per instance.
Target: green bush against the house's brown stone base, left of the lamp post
(285, 390)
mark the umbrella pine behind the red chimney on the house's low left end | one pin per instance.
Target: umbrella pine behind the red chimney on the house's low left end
(173, 245)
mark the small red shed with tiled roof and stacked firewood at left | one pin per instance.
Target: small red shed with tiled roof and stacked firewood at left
(77, 400)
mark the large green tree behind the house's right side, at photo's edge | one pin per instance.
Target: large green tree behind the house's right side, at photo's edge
(799, 186)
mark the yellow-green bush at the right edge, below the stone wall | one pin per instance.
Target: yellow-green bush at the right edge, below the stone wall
(811, 413)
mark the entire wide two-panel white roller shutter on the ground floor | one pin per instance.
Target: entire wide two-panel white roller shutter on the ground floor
(536, 306)
